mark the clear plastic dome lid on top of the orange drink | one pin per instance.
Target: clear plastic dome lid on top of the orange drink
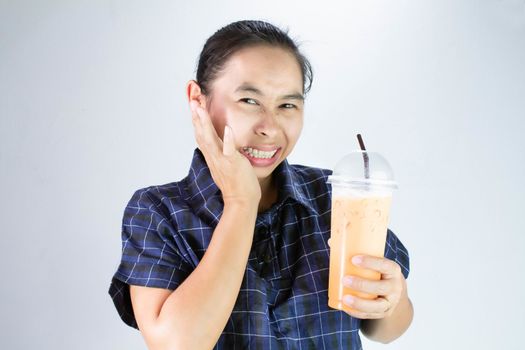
(363, 169)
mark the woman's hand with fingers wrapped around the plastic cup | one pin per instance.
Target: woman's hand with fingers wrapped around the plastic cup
(390, 289)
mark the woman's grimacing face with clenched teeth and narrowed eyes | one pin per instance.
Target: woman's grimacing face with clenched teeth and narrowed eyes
(259, 94)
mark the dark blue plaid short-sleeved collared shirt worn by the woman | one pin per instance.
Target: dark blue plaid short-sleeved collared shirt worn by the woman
(283, 300)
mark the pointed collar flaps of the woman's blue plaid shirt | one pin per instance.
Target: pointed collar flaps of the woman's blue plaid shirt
(205, 196)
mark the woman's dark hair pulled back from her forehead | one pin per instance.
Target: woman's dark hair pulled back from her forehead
(237, 35)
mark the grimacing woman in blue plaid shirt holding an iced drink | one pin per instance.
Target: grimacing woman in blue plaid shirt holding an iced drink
(235, 255)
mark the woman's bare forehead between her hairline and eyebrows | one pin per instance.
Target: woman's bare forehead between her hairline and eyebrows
(271, 69)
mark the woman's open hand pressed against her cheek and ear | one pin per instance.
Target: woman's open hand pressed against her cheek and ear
(231, 171)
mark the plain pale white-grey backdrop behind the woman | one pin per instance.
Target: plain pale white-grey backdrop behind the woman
(92, 108)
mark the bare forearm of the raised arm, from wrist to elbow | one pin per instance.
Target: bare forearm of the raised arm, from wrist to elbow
(195, 314)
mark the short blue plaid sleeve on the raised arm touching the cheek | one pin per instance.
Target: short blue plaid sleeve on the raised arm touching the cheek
(149, 254)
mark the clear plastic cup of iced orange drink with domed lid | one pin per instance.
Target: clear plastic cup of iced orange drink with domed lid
(362, 185)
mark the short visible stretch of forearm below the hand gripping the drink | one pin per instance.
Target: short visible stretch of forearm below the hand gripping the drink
(388, 329)
